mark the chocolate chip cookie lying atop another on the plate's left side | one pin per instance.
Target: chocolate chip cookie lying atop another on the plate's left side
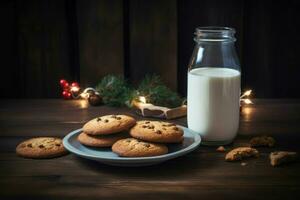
(108, 124)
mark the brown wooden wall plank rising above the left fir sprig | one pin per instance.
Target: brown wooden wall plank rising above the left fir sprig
(100, 29)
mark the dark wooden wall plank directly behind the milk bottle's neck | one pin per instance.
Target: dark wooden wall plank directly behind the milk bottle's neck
(192, 14)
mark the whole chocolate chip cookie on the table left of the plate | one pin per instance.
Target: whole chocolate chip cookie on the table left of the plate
(41, 147)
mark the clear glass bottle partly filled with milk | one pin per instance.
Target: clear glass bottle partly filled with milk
(214, 79)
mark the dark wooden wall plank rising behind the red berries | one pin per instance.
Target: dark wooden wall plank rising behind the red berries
(43, 47)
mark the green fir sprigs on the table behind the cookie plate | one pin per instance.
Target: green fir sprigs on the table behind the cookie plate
(115, 91)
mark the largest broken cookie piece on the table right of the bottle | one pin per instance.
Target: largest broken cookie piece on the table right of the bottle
(241, 153)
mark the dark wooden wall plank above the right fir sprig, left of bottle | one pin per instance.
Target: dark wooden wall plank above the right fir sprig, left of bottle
(153, 40)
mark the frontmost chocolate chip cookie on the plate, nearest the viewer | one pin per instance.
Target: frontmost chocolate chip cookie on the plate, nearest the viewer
(131, 147)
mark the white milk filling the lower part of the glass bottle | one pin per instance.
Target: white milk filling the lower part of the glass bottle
(213, 103)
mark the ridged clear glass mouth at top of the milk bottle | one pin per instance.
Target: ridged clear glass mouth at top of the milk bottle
(215, 33)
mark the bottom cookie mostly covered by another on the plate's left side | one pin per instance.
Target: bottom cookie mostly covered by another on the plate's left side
(100, 140)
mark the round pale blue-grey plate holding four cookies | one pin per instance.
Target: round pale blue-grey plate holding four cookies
(106, 156)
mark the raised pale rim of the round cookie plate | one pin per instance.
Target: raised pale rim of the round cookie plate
(76, 151)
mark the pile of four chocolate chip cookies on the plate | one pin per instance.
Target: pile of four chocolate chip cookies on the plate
(148, 138)
